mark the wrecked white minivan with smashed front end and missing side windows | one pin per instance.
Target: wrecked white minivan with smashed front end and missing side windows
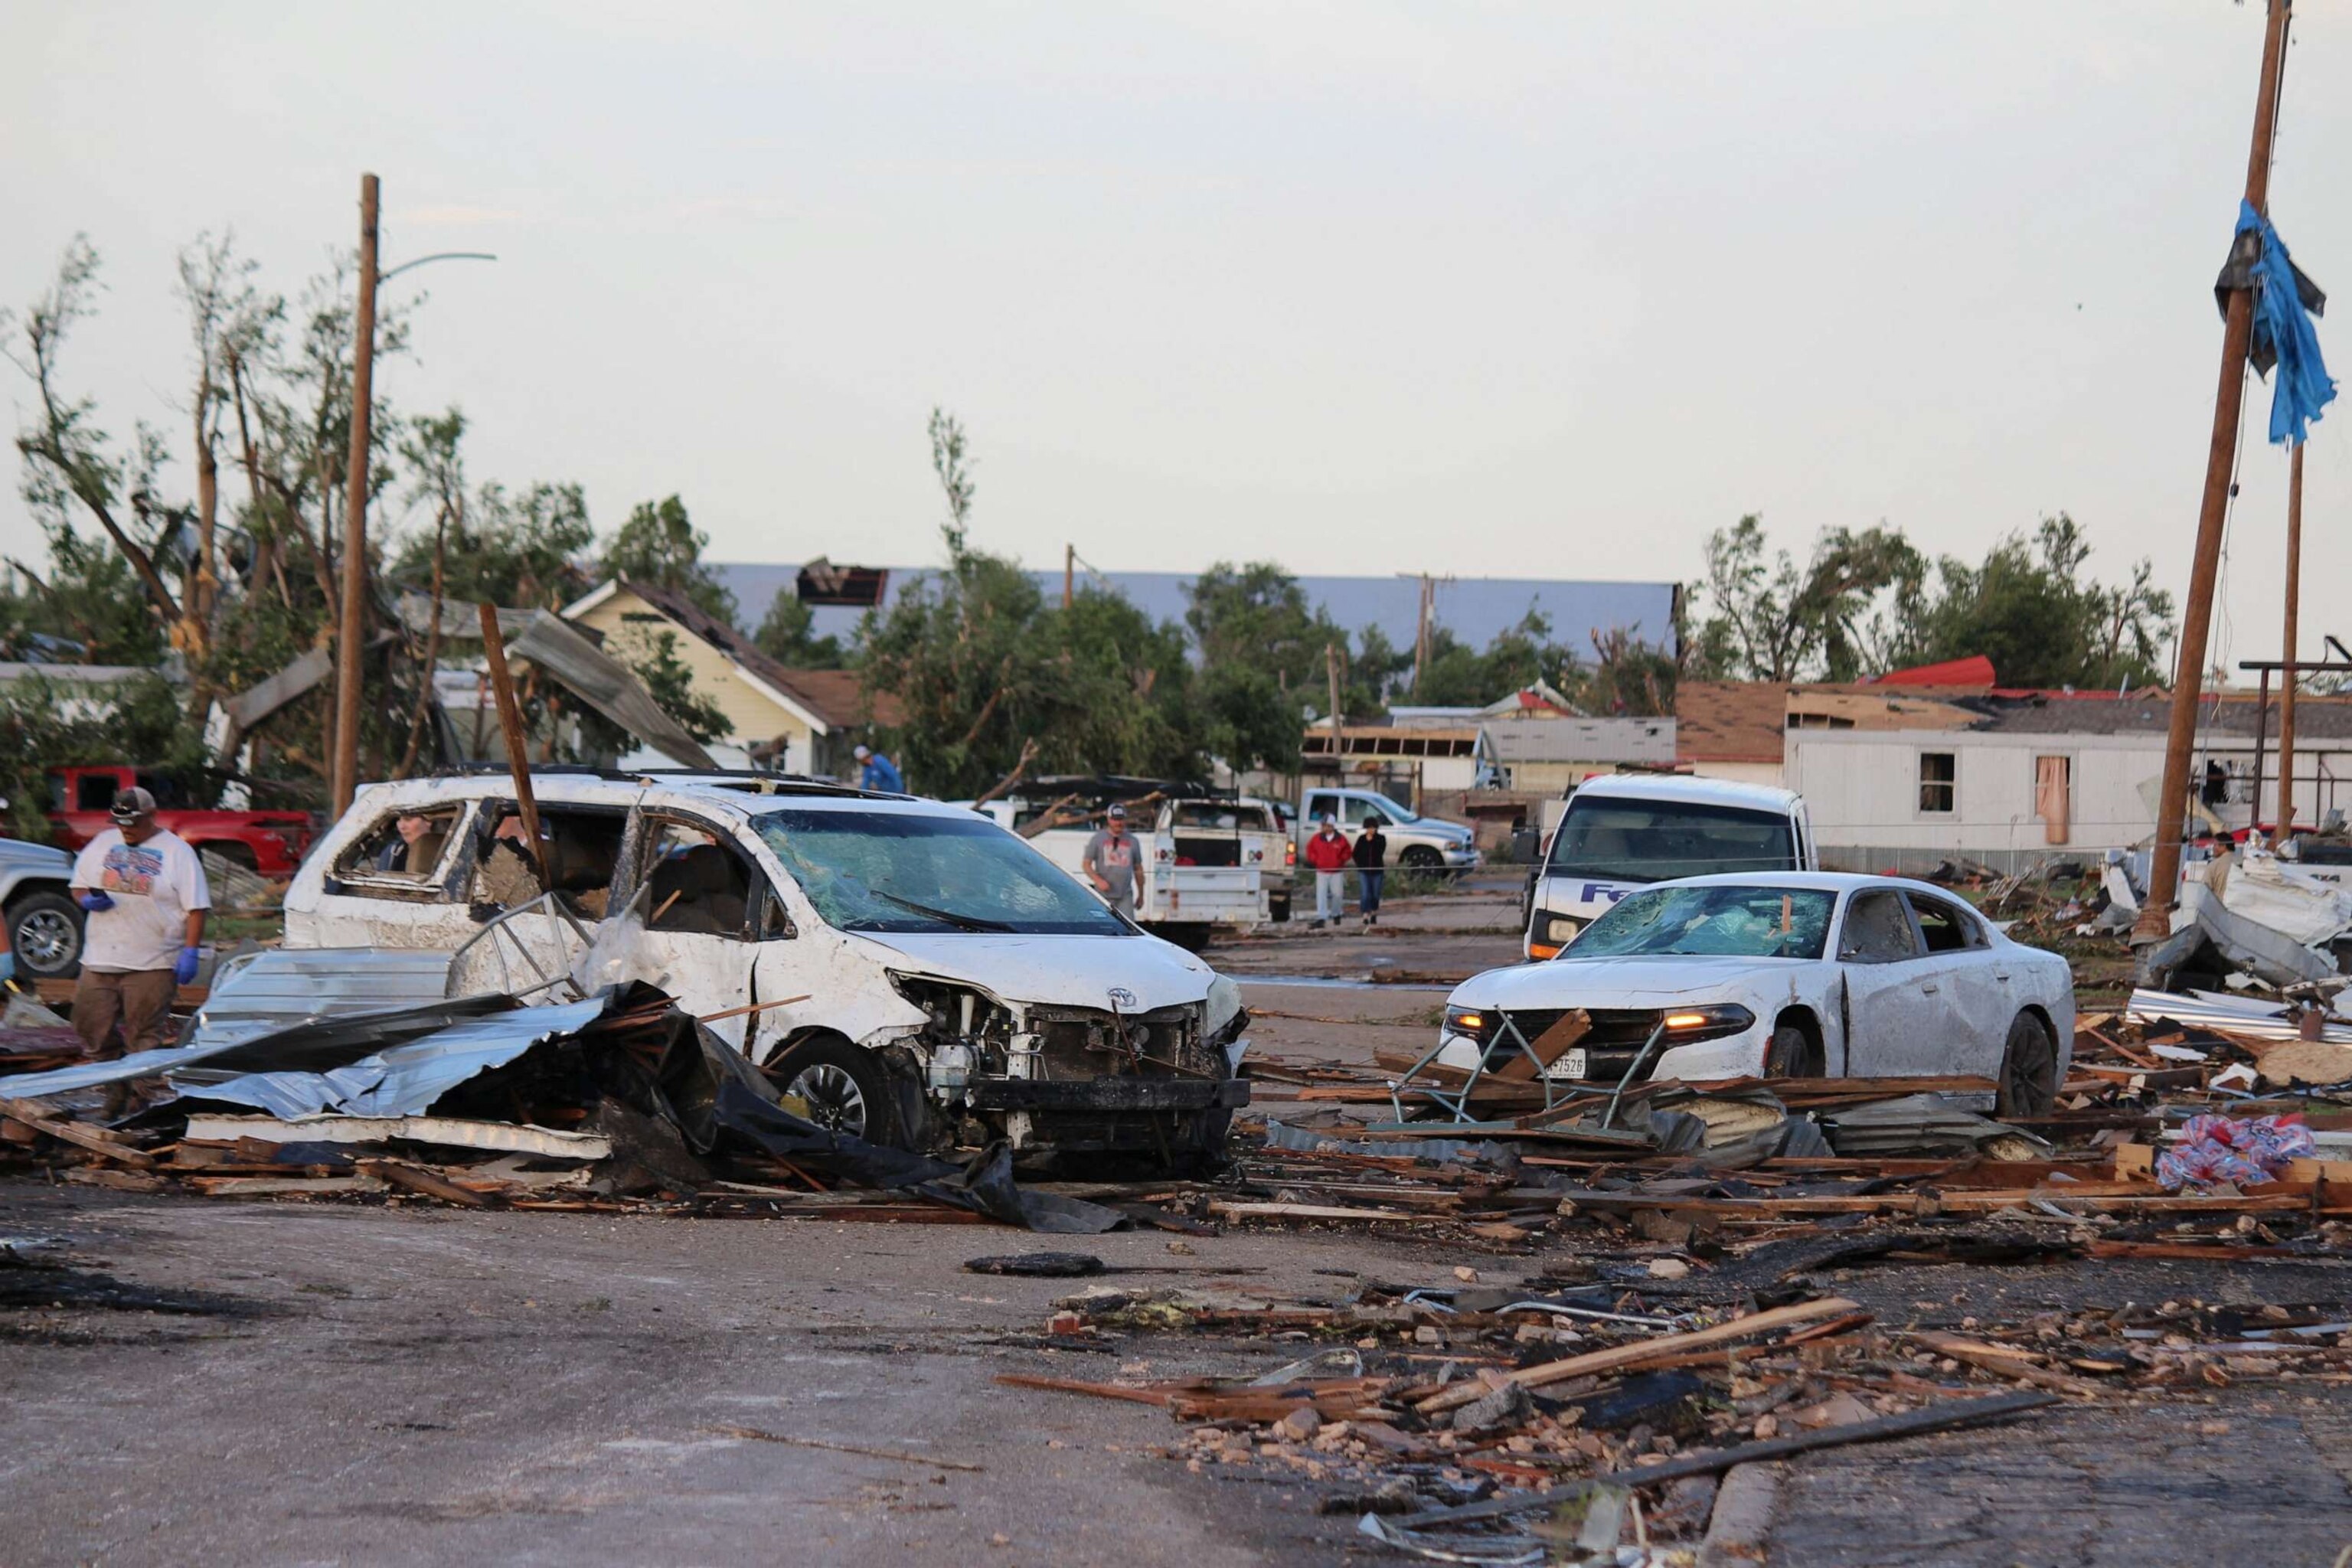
(909, 970)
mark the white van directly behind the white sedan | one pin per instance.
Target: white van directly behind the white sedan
(1626, 831)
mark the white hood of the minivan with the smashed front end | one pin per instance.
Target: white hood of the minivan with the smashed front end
(1053, 970)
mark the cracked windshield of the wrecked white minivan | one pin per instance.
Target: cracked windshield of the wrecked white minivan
(893, 871)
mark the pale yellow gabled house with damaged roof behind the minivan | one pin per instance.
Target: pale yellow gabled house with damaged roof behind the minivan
(806, 721)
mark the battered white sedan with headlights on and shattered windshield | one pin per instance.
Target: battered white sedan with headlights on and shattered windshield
(1789, 974)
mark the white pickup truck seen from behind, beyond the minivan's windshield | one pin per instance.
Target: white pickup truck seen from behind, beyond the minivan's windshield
(1212, 862)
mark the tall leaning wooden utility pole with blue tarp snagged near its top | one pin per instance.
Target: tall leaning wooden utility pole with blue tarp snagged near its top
(2198, 615)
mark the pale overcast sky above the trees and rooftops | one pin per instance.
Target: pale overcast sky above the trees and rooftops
(1485, 290)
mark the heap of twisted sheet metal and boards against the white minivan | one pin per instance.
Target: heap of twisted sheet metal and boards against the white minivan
(603, 1104)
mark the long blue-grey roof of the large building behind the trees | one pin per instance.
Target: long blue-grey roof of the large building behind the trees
(1474, 608)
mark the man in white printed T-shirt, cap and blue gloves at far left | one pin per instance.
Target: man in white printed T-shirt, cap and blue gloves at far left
(147, 899)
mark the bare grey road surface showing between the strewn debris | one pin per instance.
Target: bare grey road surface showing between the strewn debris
(422, 1386)
